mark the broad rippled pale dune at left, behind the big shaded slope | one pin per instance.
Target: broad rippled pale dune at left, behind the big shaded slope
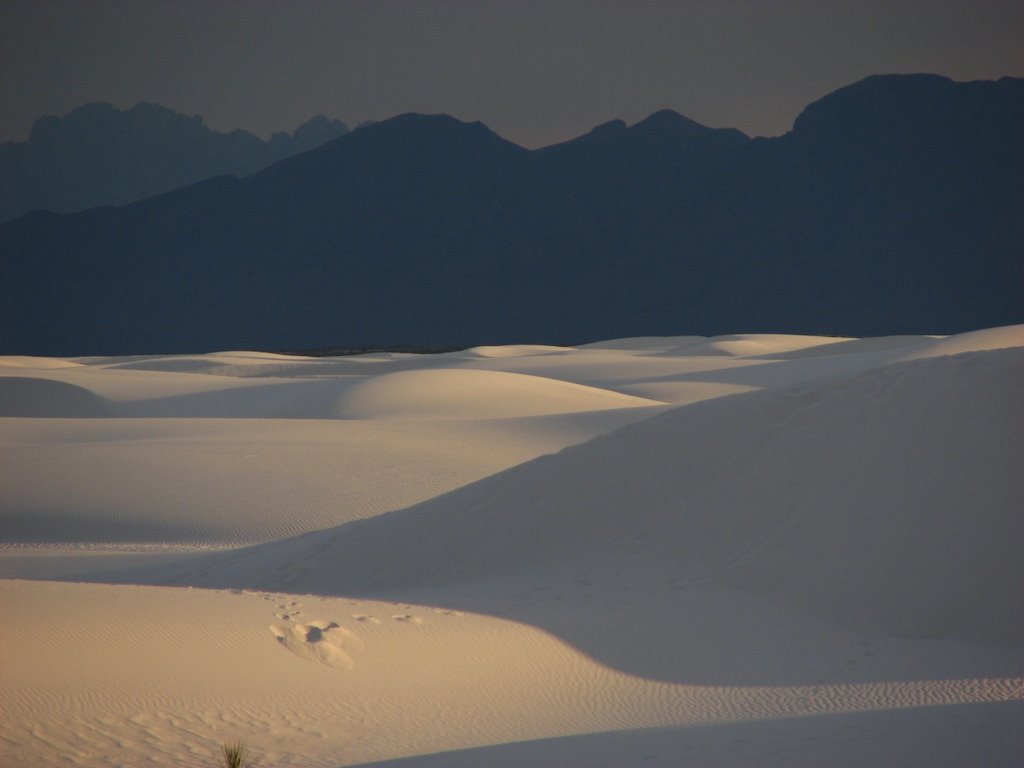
(234, 482)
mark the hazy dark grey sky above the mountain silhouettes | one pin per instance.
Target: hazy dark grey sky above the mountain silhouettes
(535, 72)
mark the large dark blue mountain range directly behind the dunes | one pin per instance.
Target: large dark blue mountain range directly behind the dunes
(893, 206)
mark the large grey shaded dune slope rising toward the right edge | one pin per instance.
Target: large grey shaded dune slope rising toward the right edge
(891, 502)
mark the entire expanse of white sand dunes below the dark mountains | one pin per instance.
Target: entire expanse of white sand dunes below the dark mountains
(511, 557)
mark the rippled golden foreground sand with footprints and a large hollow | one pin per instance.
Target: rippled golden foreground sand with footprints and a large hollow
(164, 676)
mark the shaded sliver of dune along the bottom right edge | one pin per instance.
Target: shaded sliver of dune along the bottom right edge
(850, 741)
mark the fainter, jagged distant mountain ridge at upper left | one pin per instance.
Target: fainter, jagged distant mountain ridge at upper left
(99, 155)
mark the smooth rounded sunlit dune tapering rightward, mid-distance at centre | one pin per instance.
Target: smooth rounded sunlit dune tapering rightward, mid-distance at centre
(453, 394)
